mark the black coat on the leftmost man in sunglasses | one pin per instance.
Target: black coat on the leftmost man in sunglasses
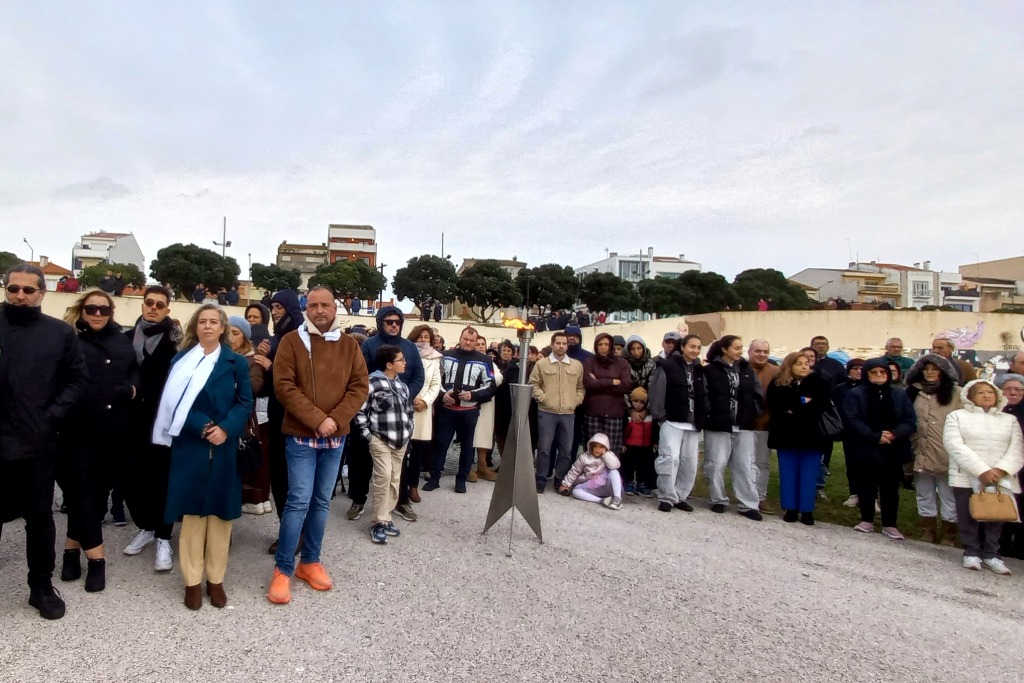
(42, 376)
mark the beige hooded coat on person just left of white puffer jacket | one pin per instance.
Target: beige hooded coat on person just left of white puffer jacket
(929, 453)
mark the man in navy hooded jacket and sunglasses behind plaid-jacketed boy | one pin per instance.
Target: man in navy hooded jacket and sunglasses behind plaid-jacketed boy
(361, 467)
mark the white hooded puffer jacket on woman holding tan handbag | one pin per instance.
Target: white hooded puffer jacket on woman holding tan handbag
(978, 441)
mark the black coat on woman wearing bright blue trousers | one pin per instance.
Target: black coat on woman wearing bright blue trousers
(795, 411)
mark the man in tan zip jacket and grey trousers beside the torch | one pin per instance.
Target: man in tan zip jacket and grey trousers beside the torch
(558, 387)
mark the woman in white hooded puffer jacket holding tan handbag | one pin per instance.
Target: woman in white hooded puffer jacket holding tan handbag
(986, 450)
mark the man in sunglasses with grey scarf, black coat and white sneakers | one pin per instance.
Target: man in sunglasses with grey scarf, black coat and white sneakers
(148, 466)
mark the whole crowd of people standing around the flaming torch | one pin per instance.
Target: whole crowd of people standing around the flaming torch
(200, 423)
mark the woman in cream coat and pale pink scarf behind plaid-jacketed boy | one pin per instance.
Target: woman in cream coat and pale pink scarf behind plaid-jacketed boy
(423, 419)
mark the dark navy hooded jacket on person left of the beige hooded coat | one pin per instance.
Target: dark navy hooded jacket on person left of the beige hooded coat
(864, 428)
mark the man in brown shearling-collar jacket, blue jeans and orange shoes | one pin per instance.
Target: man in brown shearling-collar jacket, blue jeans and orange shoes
(321, 379)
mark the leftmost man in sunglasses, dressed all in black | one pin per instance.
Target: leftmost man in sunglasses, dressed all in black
(42, 376)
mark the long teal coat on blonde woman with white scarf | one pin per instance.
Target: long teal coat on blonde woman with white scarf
(204, 479)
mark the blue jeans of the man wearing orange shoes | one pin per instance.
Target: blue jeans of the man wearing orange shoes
(313, 475)
